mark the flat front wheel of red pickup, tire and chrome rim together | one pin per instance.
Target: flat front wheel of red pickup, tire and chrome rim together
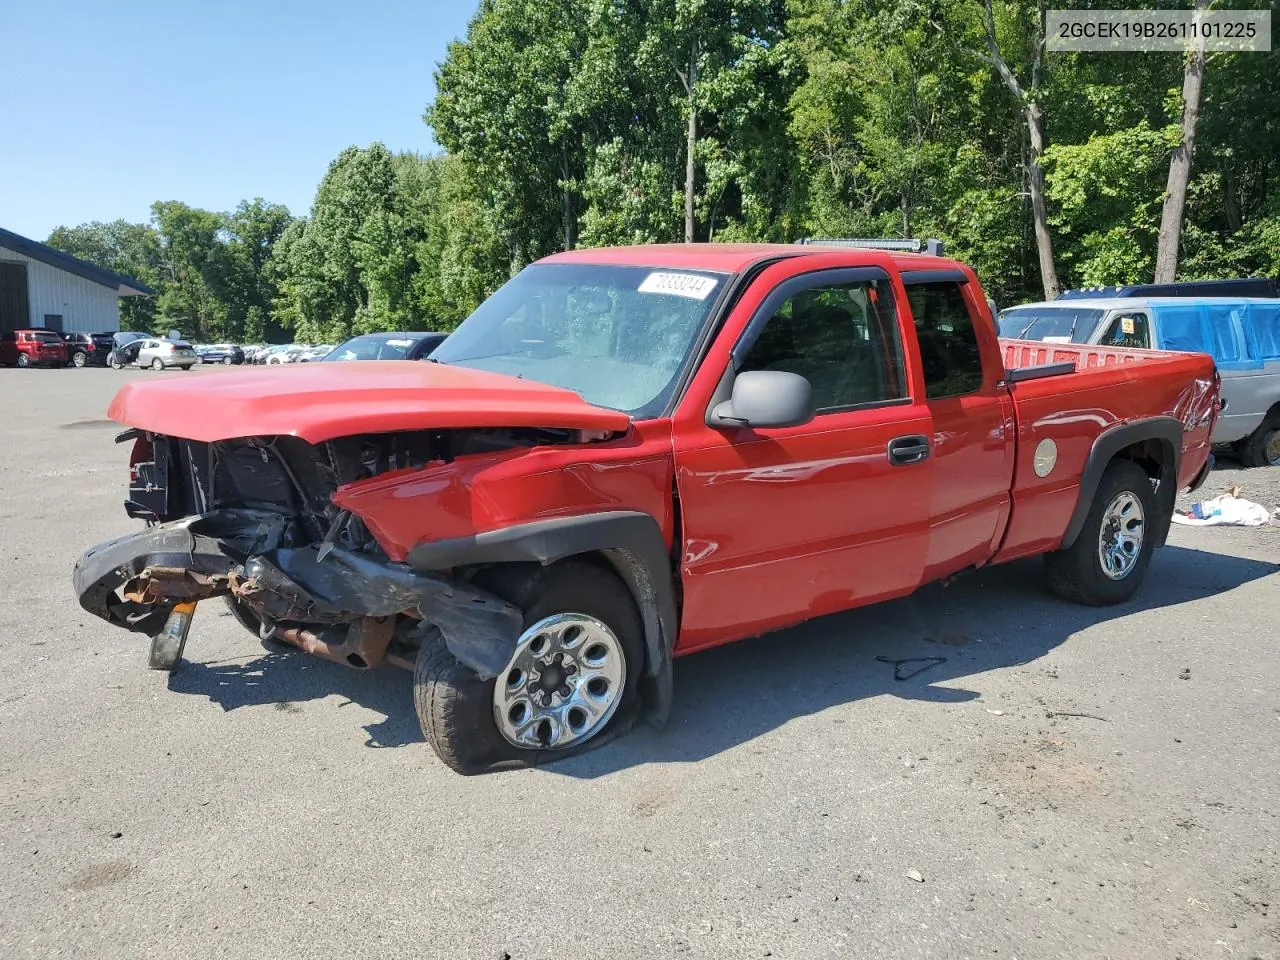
(574, 676)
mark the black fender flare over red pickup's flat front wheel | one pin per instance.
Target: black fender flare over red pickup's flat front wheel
(636, 548)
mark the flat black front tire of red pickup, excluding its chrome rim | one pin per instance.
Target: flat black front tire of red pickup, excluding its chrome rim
(458, 710)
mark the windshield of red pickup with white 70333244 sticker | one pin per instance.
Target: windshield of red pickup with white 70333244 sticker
(616, 336)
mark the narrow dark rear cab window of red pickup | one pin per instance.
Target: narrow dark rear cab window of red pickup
(949, 345)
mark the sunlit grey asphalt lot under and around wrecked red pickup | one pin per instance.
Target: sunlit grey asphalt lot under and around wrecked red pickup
(1066, 783)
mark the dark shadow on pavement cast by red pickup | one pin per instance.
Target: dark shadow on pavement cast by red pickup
(991, 620)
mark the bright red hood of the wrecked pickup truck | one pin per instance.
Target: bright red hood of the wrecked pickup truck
(323, 401)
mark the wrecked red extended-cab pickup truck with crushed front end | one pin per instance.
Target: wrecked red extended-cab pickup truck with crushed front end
(629, 455)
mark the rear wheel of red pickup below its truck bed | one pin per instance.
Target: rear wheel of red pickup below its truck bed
(1110, 557)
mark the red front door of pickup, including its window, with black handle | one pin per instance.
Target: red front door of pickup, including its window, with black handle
(781, 525)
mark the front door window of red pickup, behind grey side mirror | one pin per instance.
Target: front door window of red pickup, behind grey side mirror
(843, 339)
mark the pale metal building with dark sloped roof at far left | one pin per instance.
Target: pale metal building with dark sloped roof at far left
(44, 287)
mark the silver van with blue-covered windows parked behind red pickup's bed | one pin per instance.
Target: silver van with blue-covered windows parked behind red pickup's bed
(1242, 336)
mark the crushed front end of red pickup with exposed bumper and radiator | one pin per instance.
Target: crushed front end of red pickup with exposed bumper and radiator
(253, 520)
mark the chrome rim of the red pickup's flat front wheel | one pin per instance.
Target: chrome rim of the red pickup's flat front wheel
(563, 684)
